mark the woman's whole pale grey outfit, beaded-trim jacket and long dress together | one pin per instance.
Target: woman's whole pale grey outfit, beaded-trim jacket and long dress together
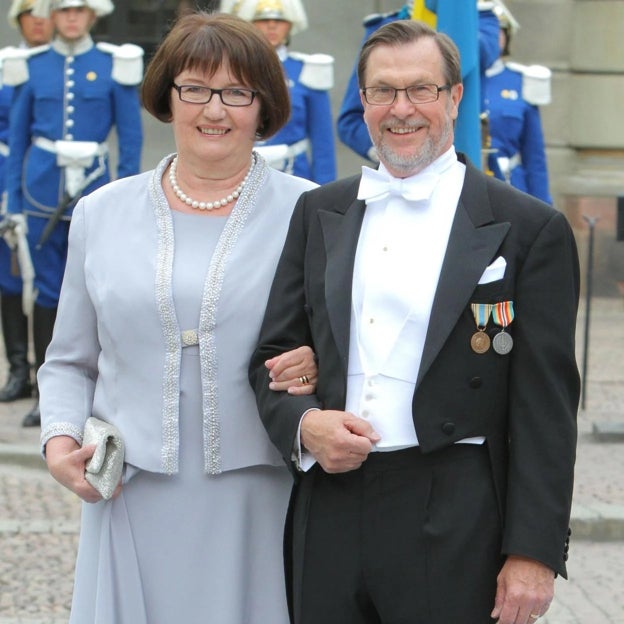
(196, 534)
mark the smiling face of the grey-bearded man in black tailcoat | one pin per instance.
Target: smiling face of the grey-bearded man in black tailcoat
(409, 137)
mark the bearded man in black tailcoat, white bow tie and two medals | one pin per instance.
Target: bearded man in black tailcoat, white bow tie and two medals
(435, 461)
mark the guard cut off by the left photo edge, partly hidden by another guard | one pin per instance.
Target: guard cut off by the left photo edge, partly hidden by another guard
(35, 31)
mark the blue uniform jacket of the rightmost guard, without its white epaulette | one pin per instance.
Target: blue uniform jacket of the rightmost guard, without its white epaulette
(516, 130)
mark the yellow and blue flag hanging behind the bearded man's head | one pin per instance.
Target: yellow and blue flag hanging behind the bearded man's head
(459, 20)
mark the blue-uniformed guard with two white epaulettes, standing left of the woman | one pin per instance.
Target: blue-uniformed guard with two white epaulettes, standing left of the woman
(68, 97)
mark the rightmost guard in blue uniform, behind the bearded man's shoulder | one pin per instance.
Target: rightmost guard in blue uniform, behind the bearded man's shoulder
(513, 93)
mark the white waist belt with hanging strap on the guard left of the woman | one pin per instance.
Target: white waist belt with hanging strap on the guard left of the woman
(75, 157)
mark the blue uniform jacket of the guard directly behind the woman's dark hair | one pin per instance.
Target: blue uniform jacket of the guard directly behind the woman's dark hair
(310, 118)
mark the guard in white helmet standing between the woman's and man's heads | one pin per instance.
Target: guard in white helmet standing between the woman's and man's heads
(305, 146)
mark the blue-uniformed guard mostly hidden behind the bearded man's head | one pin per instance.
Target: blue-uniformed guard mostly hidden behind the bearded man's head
(350, 125)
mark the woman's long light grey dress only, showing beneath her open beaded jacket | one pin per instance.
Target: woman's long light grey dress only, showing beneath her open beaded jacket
(188, 547)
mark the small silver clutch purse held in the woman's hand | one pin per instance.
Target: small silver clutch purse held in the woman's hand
(103, 470)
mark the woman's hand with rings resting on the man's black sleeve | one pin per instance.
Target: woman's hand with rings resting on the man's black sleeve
(294, 371)
